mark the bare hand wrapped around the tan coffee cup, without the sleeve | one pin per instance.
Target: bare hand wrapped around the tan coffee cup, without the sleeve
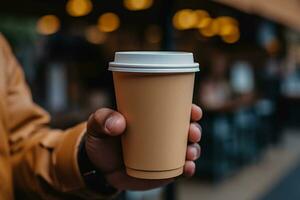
(103, 146)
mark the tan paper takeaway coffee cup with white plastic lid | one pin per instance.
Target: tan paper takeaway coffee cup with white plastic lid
(154, 93)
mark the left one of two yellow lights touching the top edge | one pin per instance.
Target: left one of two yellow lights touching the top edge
(78, 8)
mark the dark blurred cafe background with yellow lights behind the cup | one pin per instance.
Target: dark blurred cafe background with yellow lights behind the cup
(248, 85)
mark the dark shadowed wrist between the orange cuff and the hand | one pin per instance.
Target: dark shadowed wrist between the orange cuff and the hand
(93, 178)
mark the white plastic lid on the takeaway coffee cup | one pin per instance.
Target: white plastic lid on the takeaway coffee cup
(153, 62)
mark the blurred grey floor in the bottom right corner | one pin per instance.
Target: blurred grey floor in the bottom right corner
(275, 177)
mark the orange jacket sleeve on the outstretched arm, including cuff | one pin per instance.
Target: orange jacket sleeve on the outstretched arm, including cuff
(36, 162)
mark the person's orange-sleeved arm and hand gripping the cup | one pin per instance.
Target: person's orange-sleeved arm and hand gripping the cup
(83, 162)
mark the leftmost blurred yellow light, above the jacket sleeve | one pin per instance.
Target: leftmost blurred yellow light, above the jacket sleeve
(48, 24)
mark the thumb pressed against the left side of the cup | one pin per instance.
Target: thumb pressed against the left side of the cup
(106, 122)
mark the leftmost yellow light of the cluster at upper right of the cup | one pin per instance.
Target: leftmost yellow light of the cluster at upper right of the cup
(184, 19)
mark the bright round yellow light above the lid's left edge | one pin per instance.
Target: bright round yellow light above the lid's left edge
(108, 22)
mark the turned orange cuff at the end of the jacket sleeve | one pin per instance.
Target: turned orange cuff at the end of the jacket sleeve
(66, 164)
